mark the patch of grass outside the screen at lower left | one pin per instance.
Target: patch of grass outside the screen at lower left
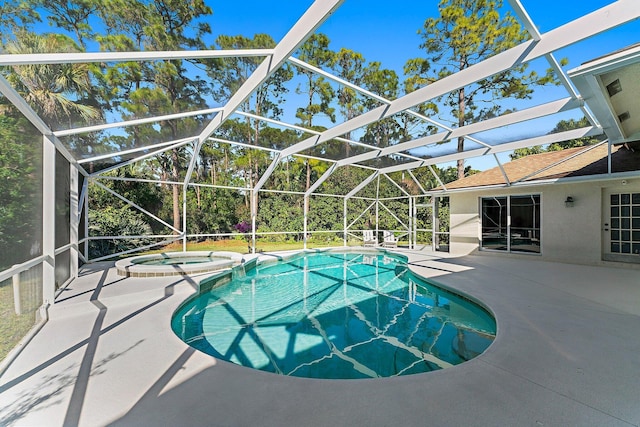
(12, 327)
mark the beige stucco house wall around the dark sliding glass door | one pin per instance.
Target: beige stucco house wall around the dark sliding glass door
(571, 234)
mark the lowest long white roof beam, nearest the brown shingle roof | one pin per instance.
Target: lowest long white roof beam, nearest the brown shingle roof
(501, 148)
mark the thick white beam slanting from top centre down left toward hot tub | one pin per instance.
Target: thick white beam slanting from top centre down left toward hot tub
(313, 17)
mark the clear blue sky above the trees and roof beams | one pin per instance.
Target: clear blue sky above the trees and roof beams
(388, 32)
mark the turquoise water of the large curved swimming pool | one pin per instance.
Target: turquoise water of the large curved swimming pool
(335, 315)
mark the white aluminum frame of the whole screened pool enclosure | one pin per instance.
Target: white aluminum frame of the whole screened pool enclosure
(539, 46)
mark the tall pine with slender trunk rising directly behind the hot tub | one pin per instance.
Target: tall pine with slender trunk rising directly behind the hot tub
(160, 87)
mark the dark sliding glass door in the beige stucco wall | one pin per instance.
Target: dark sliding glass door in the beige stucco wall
(511, 223)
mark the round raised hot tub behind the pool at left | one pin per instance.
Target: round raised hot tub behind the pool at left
(177, 263)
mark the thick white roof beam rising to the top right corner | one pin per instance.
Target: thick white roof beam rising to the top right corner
(586, 26)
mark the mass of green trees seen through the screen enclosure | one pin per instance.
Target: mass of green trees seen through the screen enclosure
(80, 94)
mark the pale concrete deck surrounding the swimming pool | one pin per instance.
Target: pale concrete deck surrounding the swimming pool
(567, 353)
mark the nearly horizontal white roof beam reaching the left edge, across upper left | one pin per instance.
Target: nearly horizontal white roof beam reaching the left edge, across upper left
(138, 56)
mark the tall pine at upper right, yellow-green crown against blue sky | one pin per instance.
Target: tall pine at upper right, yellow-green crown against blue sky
(466, 33)
